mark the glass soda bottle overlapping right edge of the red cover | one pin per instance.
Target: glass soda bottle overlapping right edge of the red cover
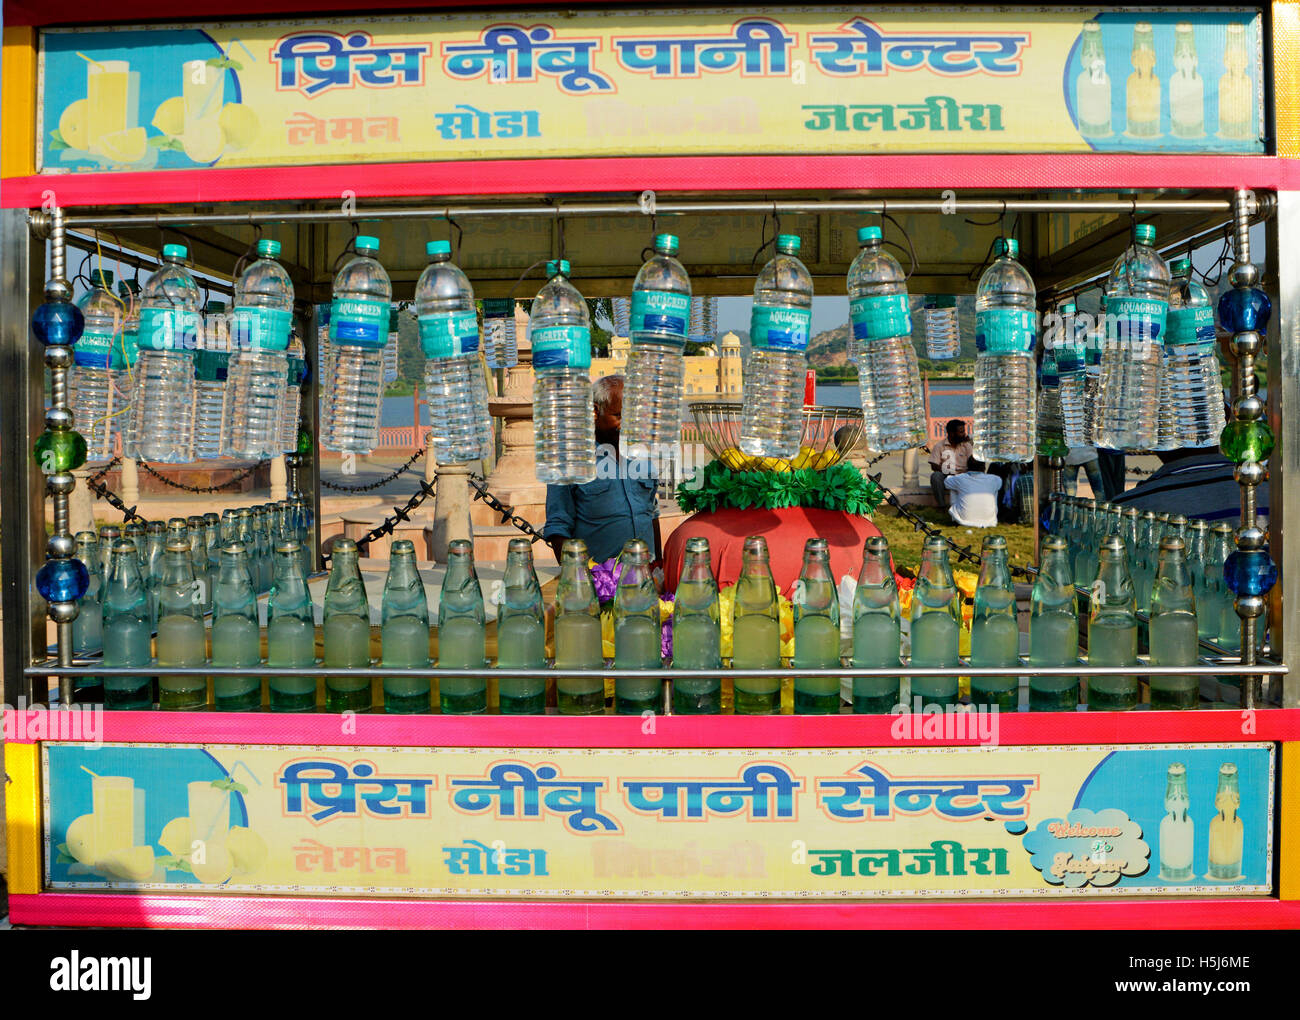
(877, 630)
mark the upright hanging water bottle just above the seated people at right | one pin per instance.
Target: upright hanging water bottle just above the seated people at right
(1006, 410)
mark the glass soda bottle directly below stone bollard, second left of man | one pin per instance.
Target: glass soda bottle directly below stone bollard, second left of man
(462, 636)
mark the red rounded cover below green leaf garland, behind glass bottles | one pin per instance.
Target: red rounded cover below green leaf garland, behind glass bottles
(786, 532)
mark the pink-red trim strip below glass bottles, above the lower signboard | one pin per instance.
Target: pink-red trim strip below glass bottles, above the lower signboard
(383, 731)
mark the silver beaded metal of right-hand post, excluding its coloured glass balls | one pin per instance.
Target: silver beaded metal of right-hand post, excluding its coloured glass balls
(1247, 407)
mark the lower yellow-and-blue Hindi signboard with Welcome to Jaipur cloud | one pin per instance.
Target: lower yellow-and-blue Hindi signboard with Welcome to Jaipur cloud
(1175, 819)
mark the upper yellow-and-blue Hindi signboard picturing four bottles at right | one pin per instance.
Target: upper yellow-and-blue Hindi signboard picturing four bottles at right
(639, 83)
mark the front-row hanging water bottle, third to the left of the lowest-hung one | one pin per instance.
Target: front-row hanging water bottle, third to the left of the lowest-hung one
(259, 367)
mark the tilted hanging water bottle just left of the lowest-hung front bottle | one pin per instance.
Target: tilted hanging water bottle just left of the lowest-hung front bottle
(453, 379)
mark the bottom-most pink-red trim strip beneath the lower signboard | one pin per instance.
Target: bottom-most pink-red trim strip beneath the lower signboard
(115, 910)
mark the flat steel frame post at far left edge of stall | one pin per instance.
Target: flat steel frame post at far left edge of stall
(23, 494)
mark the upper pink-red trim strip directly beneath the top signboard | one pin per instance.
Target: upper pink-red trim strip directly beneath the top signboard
(609, 175)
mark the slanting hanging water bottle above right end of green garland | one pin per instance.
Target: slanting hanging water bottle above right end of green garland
(892, 411)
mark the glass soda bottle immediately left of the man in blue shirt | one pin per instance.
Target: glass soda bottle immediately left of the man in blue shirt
(522, 632)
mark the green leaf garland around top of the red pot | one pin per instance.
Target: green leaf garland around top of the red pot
(840, 488)
